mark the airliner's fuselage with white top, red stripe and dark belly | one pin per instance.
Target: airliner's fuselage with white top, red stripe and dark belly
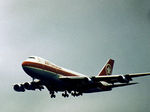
(49, 73)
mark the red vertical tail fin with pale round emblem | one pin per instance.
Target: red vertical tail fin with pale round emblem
(107, 69)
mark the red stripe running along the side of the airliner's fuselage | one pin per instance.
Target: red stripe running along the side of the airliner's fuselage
(51, 68)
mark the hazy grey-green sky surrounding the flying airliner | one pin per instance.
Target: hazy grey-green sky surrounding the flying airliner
(80, 35)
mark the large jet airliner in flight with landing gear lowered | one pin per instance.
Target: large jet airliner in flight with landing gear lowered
(58, 79)
